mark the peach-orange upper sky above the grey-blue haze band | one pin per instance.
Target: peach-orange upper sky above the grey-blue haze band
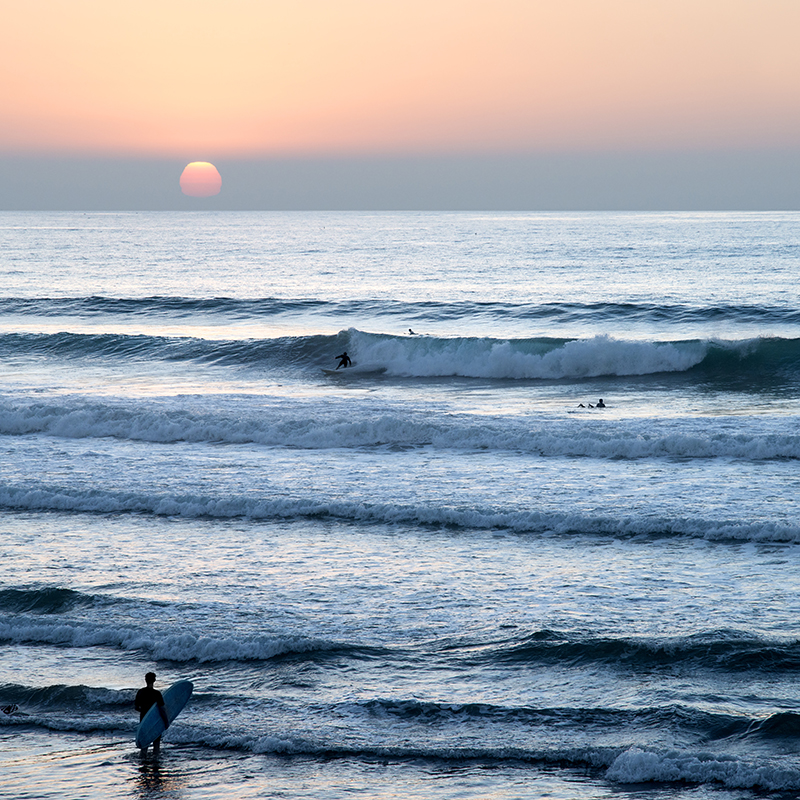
(251, 77)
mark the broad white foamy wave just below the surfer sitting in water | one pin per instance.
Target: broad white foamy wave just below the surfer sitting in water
(298, 426)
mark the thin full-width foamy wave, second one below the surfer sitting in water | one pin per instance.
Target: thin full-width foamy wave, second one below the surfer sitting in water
(70, 499)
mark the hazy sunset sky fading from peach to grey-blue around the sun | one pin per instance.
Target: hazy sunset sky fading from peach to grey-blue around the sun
(514, 104)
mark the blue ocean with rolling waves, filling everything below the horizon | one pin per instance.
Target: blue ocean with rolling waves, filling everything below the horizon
(442, 572)
